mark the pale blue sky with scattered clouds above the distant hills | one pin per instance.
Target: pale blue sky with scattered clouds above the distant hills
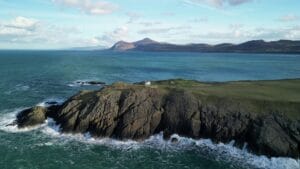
(60, 24)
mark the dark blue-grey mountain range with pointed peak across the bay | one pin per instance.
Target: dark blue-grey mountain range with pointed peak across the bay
(255, 46)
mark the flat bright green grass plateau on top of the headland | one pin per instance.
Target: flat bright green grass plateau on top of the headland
(277, 90)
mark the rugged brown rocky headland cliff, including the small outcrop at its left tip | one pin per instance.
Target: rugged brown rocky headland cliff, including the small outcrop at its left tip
(137, 111)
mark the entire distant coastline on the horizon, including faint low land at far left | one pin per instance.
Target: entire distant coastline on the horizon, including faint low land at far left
(149, 45)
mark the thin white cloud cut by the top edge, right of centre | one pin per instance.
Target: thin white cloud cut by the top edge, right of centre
(218, 3)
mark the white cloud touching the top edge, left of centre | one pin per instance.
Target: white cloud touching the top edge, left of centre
(98, 7)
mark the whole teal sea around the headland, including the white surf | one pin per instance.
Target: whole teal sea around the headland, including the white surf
(28, 78)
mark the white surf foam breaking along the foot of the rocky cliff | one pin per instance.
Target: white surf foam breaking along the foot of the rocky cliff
(205, 147)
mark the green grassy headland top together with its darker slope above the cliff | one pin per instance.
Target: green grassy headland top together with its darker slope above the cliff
(254, 96)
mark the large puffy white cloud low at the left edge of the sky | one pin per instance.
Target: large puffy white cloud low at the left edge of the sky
(22, 31)
